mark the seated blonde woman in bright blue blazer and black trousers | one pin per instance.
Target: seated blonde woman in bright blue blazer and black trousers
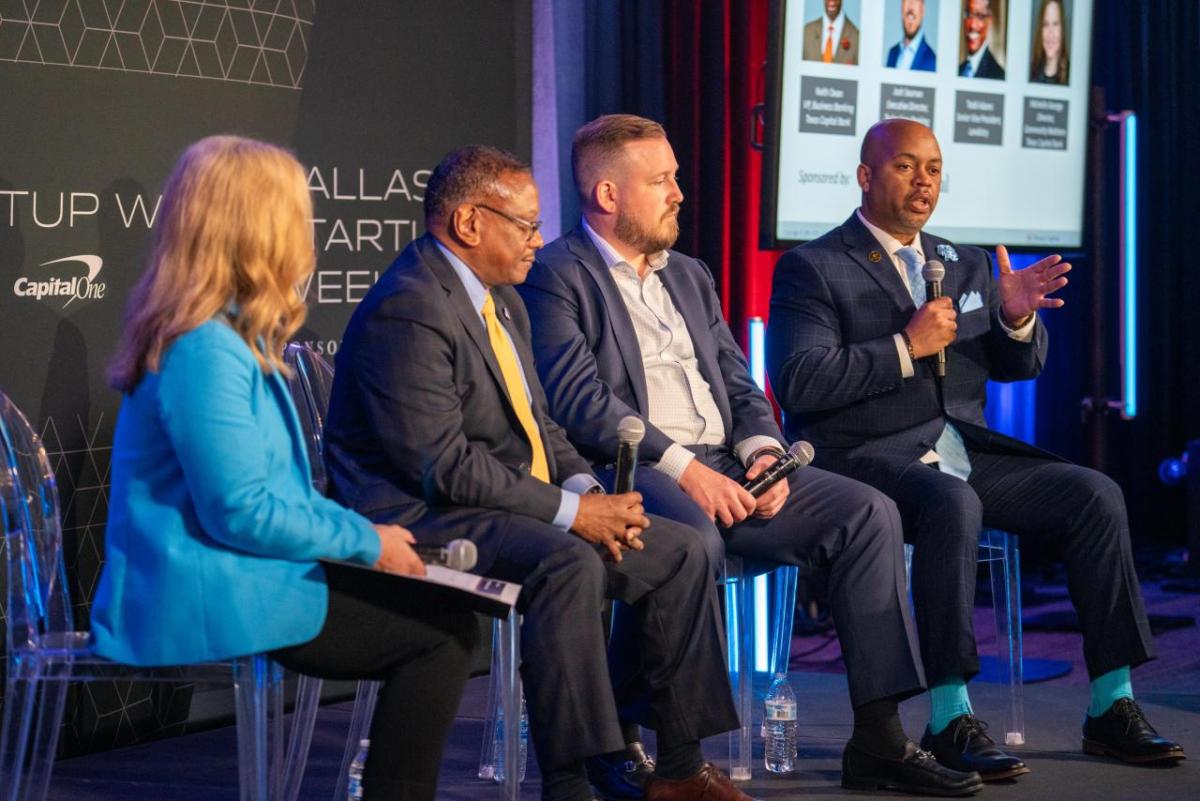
(214, 533)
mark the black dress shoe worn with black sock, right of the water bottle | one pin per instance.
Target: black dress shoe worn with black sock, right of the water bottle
(917, 773)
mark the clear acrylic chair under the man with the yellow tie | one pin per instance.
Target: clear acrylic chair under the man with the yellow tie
(310, 386)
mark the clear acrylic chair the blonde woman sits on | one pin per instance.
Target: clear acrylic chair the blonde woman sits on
(46, 652)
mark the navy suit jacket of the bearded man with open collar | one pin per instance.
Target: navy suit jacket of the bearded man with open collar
(590, 360)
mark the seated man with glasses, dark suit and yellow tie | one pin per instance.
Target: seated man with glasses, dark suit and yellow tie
(439, 423)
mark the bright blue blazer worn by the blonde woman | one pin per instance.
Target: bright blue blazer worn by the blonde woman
(214, 528)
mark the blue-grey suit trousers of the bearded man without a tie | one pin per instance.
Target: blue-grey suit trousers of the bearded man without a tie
(839, 526)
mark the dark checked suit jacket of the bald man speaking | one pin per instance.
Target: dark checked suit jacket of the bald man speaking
(837, 304)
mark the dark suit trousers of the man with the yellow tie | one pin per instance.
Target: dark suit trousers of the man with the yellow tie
(677, 685)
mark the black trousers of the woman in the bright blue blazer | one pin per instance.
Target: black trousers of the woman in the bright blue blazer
(382, 629)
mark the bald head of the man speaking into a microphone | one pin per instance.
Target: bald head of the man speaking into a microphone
(901, 176)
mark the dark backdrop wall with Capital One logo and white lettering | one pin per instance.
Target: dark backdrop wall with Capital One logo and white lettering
(99, 98)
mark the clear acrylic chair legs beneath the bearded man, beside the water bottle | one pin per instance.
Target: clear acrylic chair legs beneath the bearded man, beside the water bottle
(741, 639)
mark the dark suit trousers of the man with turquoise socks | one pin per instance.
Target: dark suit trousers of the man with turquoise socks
(1081, 513)
